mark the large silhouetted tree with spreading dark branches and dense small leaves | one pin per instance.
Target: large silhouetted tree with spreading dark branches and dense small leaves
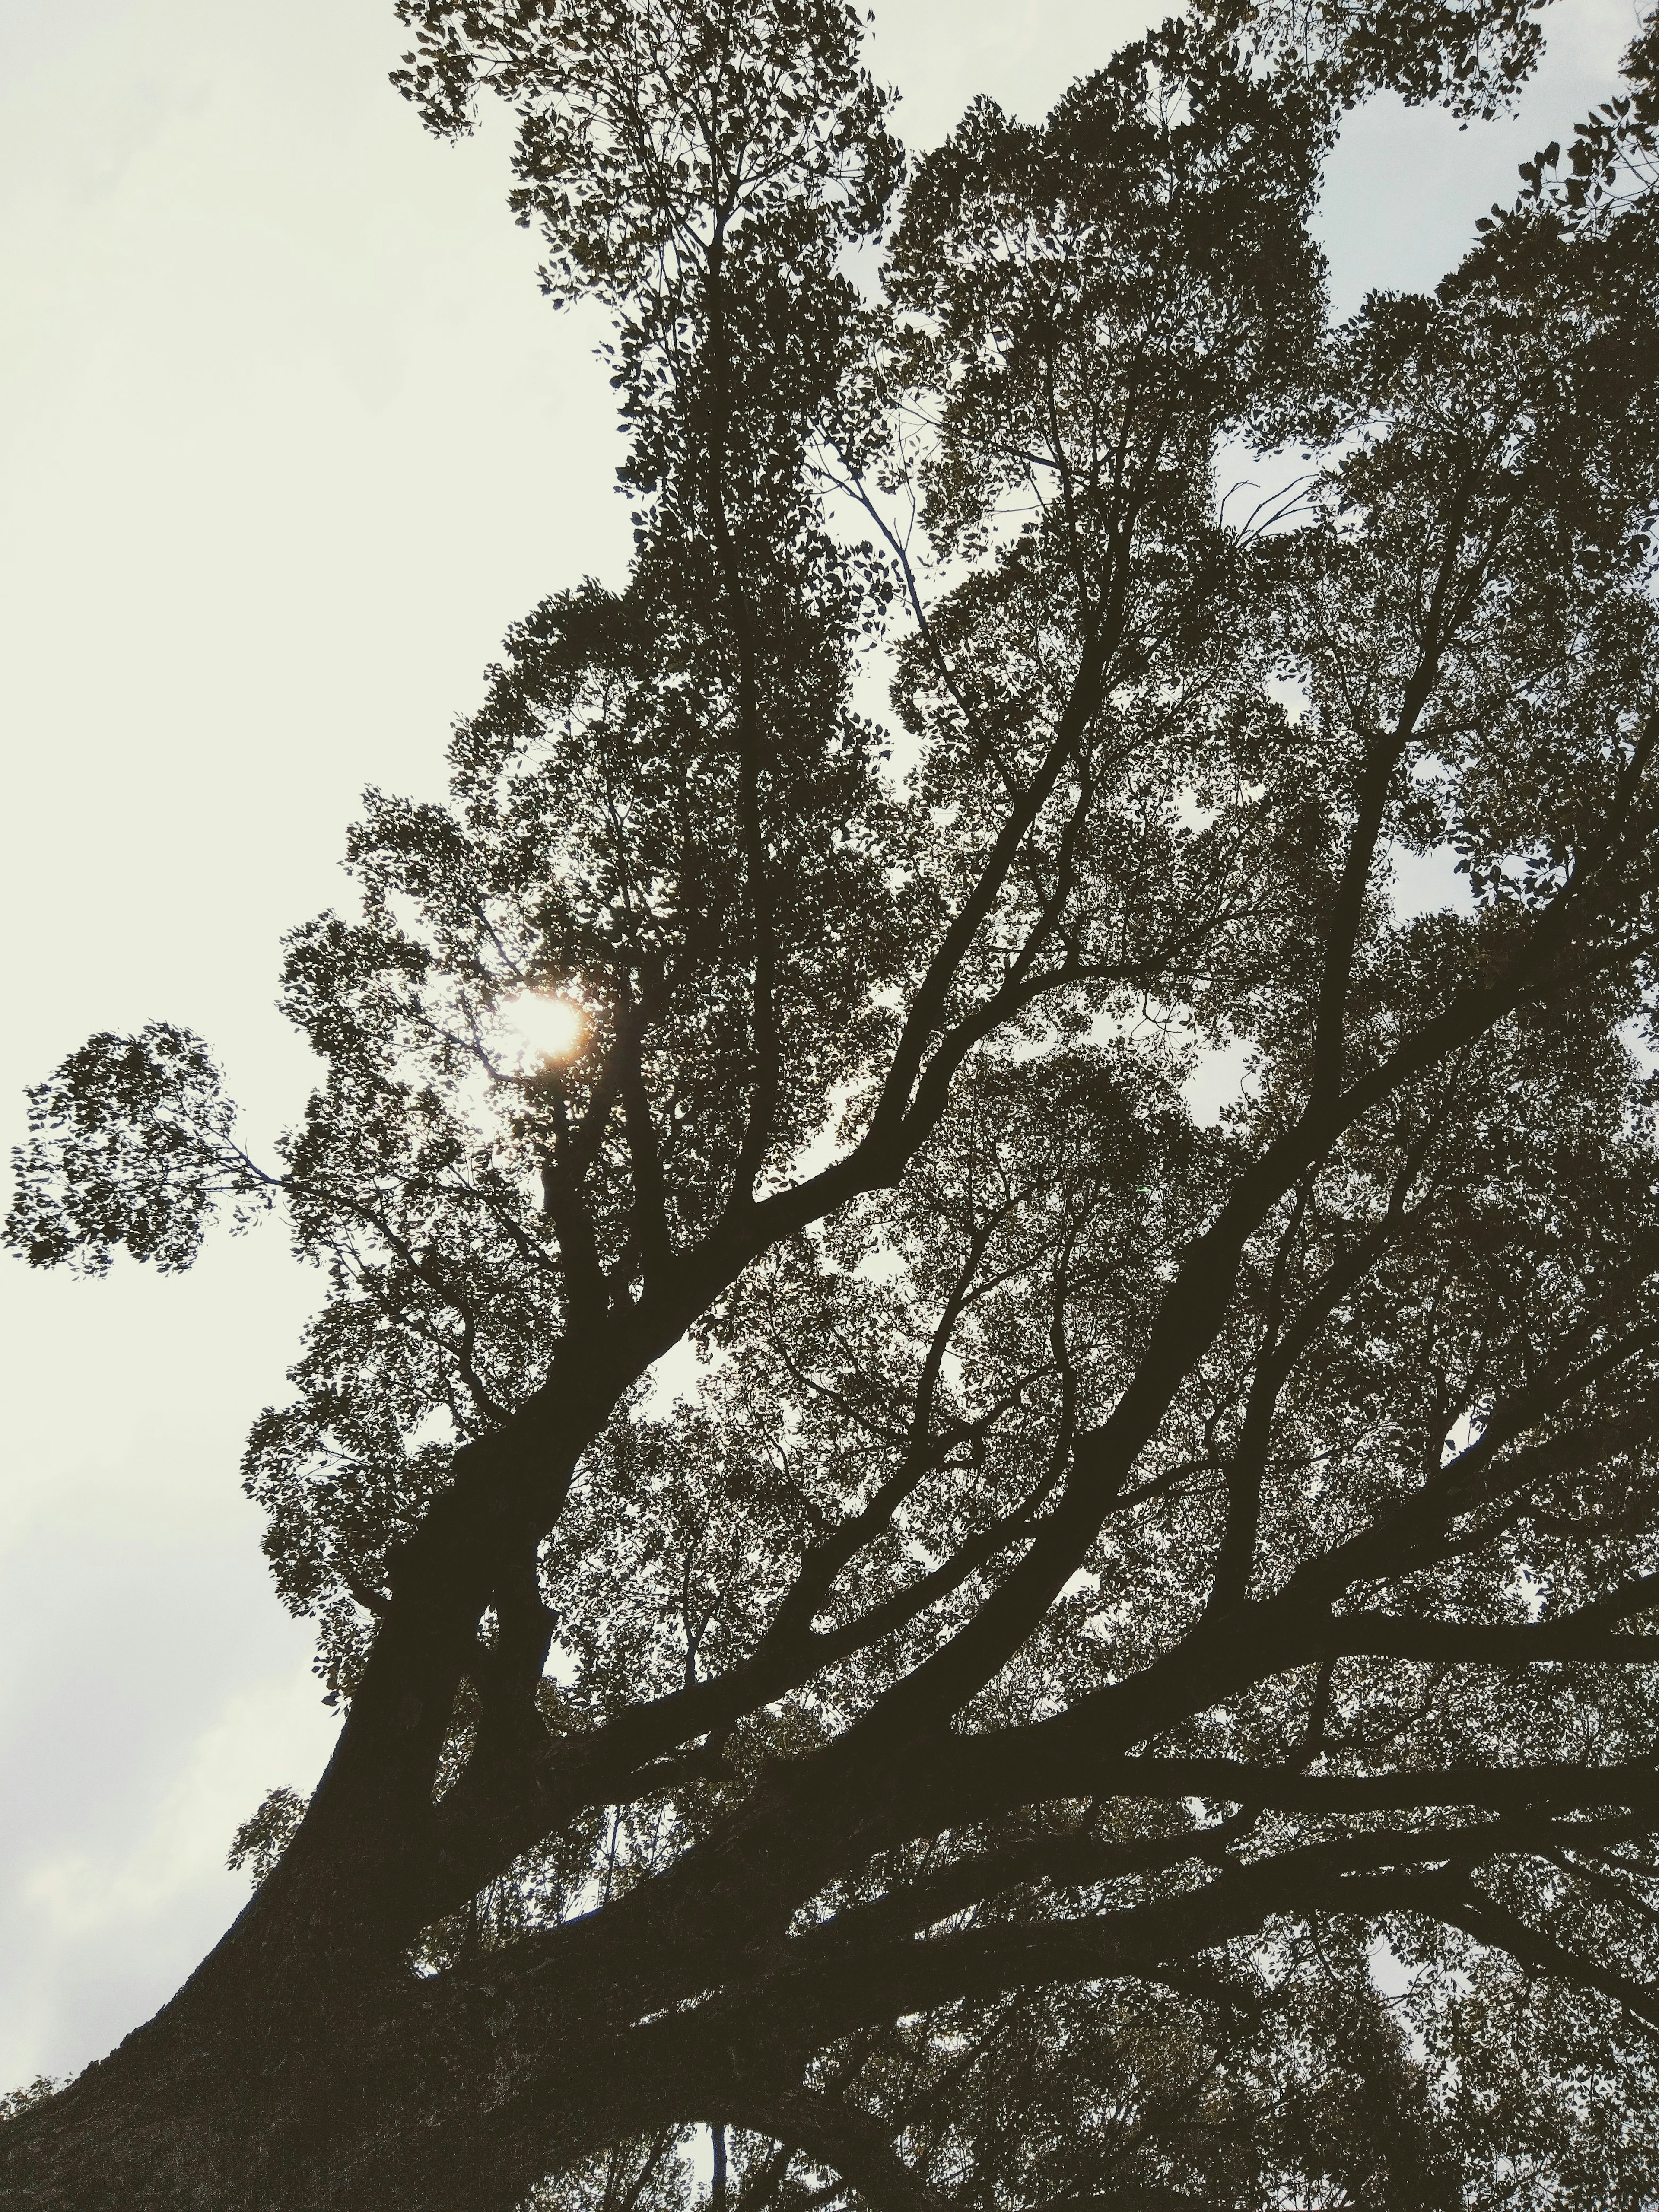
(1105, 1574)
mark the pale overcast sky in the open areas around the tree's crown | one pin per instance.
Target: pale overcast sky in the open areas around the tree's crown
(286, 441)
